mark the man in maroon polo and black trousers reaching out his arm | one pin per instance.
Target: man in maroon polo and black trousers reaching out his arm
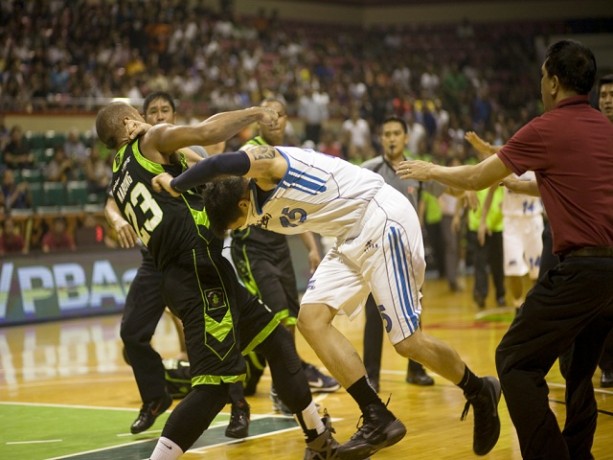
(570, 149)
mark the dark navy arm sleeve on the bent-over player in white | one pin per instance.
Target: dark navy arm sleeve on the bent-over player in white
(234, 163)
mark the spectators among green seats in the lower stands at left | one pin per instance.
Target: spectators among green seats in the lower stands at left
(51, 187)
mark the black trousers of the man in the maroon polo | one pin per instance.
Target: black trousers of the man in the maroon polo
(571, 304)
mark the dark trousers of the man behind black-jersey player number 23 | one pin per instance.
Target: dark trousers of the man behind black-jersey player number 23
(142, 312)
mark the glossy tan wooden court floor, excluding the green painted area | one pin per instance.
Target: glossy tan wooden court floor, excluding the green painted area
(79, 363)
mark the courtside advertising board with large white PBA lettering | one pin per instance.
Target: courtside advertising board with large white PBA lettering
(54, 286)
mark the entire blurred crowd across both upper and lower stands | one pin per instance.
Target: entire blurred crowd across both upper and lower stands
(338, 81)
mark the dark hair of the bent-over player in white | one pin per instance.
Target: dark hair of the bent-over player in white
(221, 199)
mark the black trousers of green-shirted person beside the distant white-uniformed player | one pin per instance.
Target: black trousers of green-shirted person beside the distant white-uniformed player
(488, 258)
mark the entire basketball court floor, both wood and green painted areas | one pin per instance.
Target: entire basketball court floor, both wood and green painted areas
(66, 393)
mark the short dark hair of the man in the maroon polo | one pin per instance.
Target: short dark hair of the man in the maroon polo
(574, 65)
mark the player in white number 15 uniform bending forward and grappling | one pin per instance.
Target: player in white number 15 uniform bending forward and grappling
(378, 249)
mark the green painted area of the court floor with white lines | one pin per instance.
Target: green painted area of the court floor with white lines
(33, 431)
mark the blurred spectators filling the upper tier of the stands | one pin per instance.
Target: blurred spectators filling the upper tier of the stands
(73, 53)
